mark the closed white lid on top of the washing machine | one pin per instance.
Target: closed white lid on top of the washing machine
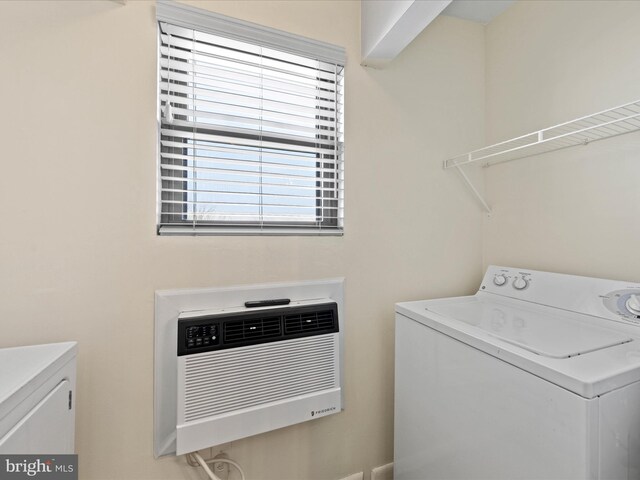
(557, 334)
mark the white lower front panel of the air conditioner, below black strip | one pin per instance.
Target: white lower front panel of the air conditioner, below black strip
(229, 394)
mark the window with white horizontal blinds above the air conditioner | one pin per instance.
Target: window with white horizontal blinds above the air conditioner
(250, 128)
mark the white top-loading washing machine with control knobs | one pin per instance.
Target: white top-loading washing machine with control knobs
(537, 375)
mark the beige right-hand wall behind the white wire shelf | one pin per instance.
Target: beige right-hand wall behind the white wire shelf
(574, 211)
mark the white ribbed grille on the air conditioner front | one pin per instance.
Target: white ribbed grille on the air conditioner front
(219, 382)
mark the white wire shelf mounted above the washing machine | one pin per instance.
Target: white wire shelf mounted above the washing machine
(599, 126)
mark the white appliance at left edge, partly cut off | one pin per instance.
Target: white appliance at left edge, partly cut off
(37, 400)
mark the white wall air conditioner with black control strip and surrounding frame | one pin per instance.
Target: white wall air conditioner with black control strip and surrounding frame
(224, 371)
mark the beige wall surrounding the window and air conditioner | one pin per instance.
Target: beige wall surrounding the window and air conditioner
(80, 259)
